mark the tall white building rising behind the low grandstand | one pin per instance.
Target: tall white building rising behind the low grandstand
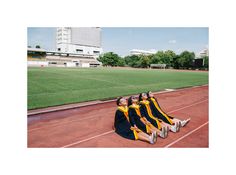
(81, 40)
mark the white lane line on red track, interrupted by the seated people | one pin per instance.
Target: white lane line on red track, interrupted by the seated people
(77, 142)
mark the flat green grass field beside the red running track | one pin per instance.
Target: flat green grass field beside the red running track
(57, 86)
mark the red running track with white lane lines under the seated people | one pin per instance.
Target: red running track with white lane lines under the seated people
(91, 126)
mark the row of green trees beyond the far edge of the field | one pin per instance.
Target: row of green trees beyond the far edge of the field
(185, 60)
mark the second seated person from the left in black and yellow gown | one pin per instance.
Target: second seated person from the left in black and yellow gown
(136, 120)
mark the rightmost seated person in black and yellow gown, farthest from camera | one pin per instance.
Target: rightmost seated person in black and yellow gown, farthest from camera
(173, 123)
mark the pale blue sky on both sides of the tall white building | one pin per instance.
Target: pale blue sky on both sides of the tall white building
(123, 39)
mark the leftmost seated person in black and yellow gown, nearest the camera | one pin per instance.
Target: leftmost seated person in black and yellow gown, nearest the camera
(123, 127)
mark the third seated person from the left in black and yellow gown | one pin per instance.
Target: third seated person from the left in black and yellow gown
(147, 115)
